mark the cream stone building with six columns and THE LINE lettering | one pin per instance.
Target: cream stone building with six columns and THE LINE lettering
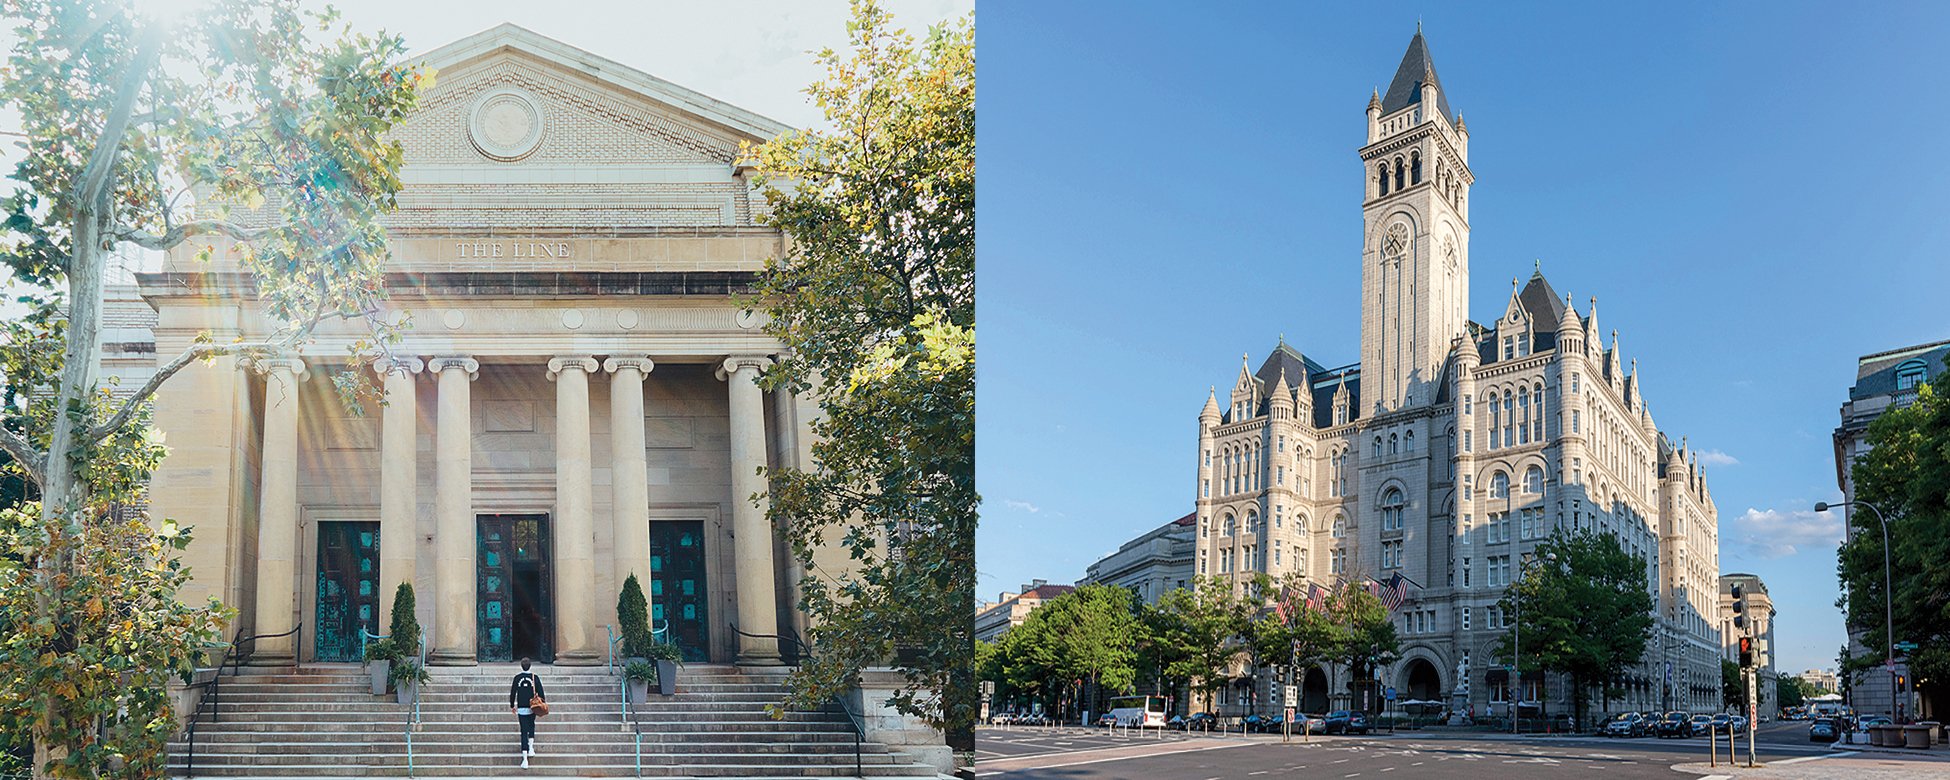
(574, 401)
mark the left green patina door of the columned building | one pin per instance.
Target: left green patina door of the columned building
(348, 590)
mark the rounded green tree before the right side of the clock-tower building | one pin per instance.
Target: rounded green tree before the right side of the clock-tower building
(1586, 615)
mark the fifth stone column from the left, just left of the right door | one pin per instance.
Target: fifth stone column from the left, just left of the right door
(629, 471)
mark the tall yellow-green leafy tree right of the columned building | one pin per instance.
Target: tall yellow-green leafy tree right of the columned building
(877, 309)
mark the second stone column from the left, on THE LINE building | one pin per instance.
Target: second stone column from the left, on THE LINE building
(399, 485)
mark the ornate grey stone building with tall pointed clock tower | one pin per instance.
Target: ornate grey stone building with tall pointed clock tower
(1456, 446)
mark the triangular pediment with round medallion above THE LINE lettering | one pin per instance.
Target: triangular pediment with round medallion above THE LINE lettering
(527, 134)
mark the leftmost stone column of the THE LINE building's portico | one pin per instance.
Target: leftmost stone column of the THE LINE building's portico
(278, 514)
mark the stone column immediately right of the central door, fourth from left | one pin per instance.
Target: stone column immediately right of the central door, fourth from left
(576, 547)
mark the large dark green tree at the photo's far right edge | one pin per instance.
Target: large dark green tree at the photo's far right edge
(1906, 475)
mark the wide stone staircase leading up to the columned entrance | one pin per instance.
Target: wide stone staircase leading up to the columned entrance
(321, 722)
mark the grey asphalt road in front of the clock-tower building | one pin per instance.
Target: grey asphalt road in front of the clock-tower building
(1093, 754)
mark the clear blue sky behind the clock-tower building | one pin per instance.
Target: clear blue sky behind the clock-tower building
(1752, 192)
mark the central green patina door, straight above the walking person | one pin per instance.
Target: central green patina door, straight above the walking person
(516, 617)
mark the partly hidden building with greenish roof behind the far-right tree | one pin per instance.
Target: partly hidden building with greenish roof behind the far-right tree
(1883, 381)
